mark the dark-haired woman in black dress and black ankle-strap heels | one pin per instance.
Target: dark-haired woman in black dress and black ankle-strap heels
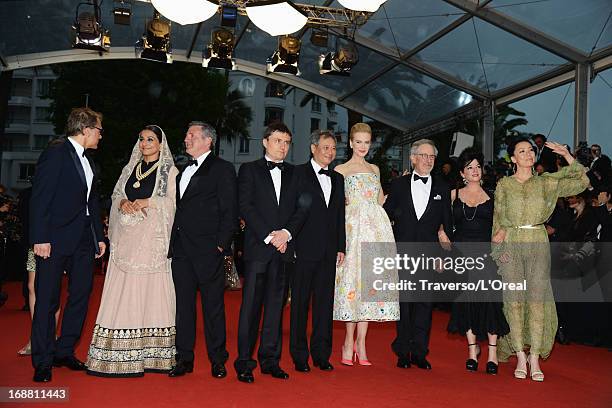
(473, 219)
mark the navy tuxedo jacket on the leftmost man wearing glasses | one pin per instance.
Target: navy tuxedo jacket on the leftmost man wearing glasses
(59, 201)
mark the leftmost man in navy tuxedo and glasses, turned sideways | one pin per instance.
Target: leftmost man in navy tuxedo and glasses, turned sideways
(66, 232)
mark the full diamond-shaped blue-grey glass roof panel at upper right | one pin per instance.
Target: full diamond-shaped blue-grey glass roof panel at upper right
(507, 59)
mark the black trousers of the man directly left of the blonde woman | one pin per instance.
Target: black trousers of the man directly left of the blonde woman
(312, 279)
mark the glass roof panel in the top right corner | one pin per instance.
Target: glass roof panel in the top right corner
(577, 23)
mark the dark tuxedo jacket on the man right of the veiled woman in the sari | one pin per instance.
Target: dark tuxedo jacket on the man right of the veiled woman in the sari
(207, 214)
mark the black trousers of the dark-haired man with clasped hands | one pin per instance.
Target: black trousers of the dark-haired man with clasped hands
(265, 286)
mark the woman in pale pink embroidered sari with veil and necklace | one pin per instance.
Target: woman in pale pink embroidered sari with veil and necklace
(135, 327)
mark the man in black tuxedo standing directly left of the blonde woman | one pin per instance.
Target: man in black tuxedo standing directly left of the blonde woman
(319, 246)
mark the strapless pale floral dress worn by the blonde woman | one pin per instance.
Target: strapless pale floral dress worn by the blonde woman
(366, 222)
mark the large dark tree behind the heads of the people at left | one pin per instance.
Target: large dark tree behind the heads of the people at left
(132, 94)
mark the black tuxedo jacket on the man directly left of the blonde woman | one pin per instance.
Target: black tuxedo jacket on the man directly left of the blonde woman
(323, 230)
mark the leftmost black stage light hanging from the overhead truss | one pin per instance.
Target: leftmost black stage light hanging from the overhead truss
(89, 33)
